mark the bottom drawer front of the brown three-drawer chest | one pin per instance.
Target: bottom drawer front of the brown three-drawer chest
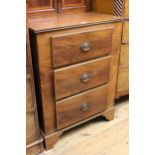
(81, 106)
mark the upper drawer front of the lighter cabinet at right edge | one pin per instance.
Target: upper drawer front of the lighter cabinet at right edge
(125, 35)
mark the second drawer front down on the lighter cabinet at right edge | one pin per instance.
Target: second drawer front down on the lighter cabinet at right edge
(124, 57)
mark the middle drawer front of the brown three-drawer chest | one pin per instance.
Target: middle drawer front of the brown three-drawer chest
(78, 78)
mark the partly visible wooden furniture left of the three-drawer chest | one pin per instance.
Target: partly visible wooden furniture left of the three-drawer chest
(34, 141)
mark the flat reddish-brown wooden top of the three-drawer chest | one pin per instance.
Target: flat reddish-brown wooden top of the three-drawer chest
(56, 22)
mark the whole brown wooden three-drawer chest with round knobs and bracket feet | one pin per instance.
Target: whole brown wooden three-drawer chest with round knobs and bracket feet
(75, 60)
